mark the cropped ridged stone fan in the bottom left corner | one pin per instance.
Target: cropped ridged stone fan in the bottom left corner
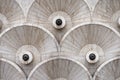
(10, 71)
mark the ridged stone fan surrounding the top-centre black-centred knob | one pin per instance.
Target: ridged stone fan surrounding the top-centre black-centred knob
(43, 11)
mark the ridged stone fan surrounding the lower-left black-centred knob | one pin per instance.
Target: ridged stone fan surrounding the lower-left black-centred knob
(36, 40)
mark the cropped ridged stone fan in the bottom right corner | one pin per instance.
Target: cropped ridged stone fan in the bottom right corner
(109, 70)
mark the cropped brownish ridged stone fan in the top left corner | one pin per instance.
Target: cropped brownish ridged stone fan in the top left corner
(10, 13)
